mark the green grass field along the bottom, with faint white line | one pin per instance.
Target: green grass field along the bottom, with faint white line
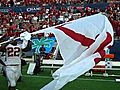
(35, 82)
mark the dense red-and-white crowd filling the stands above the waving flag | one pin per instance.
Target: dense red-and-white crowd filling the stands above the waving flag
(13, 23)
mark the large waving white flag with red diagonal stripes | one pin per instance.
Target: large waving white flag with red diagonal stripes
(82, 44)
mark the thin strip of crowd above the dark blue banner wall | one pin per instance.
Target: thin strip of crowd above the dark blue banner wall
(11, 3)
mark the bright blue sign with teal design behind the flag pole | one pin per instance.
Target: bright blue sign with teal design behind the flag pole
(47, 42)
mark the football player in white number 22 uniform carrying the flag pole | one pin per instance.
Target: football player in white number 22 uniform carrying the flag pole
(13, 51)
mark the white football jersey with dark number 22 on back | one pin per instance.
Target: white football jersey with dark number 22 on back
(13, 54)
